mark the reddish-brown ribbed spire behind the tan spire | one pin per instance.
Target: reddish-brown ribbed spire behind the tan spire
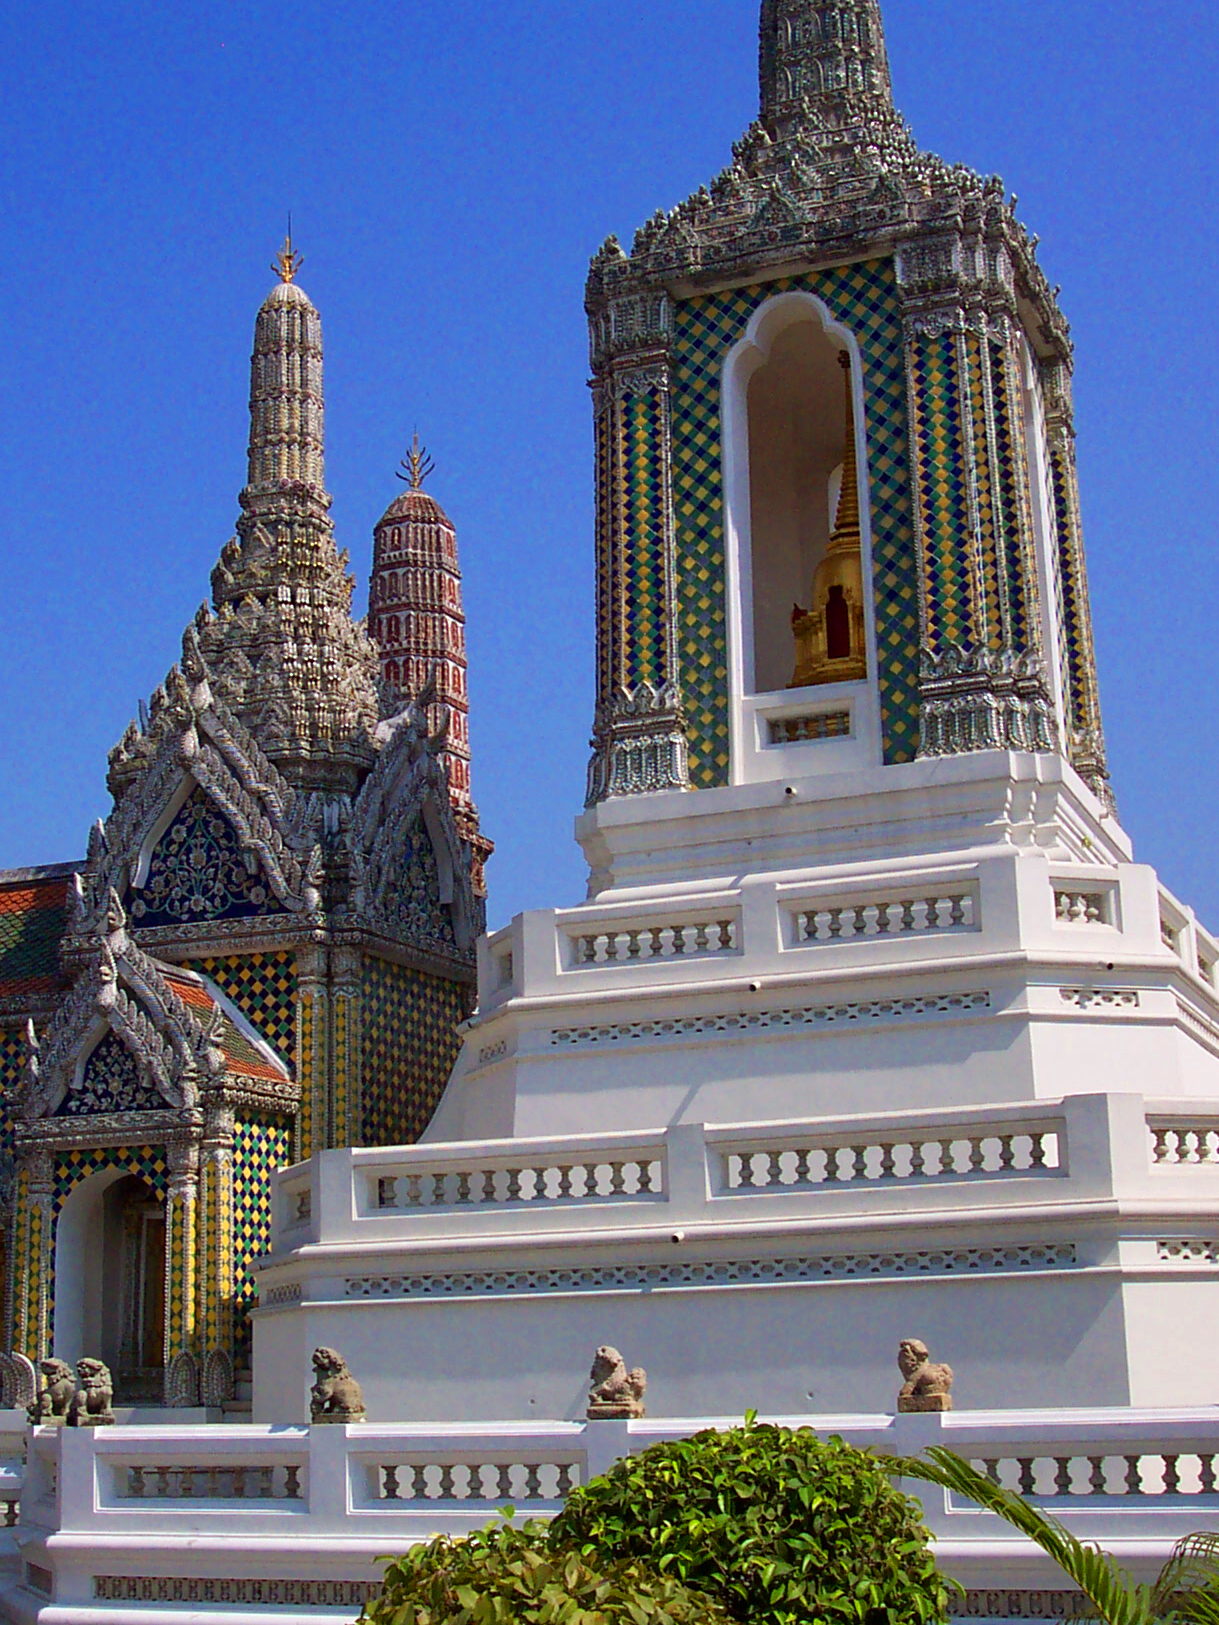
(419, 625)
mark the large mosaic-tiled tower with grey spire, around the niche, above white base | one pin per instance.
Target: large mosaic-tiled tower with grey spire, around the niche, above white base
(966, 392)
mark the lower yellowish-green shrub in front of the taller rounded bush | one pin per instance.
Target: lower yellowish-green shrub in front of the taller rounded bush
(518, 1577)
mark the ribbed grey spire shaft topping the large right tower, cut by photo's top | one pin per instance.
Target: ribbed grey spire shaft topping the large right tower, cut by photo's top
(817, 56)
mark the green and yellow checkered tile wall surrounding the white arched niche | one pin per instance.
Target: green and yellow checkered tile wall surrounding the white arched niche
(865, 300)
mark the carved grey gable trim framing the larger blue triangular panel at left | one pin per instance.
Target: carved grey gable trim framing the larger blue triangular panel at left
(188, 742)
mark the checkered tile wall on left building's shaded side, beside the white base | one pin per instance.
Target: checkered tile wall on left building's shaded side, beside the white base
(410, 1044)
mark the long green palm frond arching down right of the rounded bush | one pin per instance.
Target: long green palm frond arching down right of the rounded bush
(1114, 1595)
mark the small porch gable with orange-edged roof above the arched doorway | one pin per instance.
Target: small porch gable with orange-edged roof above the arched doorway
(137, 1036)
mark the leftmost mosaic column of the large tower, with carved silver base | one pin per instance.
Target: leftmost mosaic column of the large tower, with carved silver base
(640, 734)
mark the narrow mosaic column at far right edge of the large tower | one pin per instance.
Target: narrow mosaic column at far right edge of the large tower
(1087, 745)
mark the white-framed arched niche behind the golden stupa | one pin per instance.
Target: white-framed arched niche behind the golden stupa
(784, 418)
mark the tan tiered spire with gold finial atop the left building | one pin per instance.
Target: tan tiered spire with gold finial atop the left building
(282, 649)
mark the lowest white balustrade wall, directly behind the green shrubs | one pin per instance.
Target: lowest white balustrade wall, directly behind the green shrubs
(176, 1527)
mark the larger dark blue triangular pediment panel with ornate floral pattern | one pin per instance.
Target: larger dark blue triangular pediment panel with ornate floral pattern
(199, 872)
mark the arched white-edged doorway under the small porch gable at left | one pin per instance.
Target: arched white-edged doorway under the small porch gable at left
(111, 1283)
